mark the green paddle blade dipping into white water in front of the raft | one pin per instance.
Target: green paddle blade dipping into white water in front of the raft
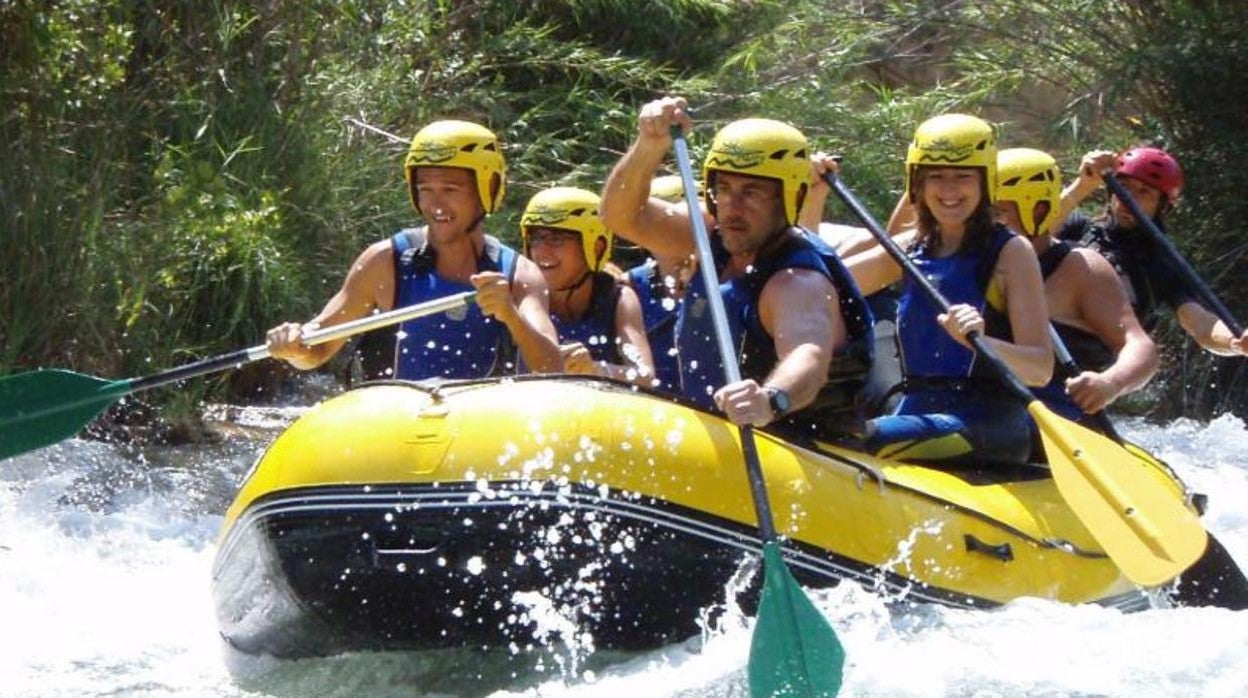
(794, 651)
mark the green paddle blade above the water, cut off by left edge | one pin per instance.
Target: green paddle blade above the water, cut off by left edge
(42, 408)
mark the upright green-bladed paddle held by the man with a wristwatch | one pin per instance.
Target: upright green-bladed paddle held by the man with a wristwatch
(794, 650)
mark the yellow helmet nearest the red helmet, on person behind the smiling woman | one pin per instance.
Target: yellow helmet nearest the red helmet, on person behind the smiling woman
(1030, 178)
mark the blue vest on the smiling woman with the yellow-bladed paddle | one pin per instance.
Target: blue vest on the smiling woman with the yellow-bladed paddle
(963, 278)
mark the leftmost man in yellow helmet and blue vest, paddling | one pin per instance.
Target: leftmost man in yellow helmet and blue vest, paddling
(456, 174)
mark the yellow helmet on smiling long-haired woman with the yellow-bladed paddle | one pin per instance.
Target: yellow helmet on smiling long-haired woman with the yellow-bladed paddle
(954, 140)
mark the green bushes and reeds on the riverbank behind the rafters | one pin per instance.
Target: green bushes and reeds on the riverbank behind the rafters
(183, 175)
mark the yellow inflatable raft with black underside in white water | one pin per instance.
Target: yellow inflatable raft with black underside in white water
(447, 515)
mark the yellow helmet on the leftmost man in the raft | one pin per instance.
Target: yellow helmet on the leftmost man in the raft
(465, 145)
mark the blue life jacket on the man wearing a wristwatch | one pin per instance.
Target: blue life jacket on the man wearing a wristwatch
(701, 364)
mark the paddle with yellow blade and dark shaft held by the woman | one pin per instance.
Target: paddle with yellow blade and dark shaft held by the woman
(1145, 530)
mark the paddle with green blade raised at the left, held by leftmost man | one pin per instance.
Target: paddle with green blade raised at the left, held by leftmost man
(42, 408)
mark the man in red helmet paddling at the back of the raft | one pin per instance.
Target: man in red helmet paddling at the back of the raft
(1155, 180)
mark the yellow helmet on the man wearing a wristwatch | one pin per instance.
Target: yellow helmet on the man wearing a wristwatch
(763, 148)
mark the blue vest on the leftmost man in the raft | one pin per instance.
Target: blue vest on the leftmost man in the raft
(459, 344)
